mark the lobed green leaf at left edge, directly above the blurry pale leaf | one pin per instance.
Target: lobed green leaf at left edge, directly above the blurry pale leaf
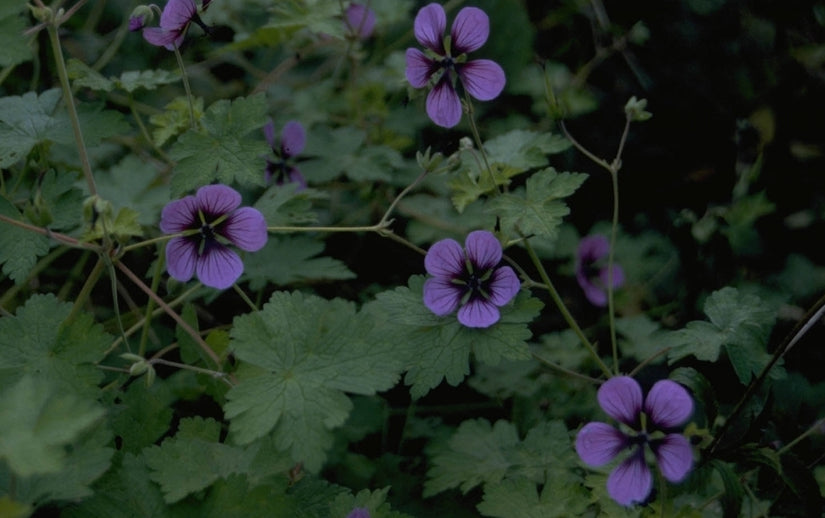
(36, 341)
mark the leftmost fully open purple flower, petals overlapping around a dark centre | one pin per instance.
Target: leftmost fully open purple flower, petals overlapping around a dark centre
(207, 220)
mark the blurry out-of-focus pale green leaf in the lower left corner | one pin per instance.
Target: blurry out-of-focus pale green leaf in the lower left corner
(38, 422)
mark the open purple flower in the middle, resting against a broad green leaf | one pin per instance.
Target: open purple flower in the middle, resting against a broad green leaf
(471, 282)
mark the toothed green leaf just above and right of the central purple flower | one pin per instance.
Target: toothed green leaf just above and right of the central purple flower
(538, 210)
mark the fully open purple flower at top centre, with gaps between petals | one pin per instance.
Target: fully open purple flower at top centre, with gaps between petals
(446, 58)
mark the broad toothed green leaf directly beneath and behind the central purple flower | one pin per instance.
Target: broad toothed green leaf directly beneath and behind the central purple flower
(439, 348)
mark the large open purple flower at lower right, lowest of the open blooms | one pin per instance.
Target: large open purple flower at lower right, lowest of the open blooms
(667, 406)
